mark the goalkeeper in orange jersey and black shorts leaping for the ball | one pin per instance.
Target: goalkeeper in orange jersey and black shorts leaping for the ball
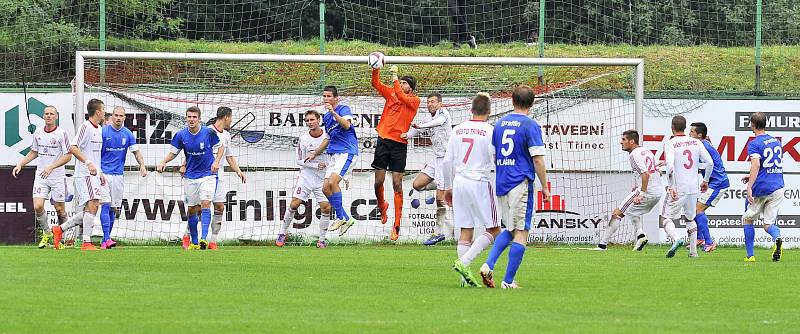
(390, 152)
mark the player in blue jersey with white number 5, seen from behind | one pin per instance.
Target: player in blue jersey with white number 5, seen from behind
(519, 154)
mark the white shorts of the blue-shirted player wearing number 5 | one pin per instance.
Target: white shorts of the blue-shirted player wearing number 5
(516, 207)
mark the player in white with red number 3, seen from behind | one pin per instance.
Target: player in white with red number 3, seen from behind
(683, 156)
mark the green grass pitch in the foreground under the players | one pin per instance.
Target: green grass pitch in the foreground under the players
(390, 289)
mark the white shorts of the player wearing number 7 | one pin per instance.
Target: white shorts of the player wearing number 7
(474, 204)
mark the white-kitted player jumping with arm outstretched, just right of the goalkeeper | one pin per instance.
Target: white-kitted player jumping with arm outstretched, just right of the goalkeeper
(437, 125)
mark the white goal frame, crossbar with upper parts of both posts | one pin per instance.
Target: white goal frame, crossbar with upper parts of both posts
(637, 63)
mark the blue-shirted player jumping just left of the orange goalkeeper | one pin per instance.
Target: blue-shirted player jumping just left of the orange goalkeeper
(342, 148)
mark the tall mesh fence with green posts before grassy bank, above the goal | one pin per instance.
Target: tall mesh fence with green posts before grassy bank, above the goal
(708, 47)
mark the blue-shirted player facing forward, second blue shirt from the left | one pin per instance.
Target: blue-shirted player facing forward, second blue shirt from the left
(203, 152)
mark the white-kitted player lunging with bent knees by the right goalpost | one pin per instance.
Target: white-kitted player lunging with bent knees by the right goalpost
(646, 192)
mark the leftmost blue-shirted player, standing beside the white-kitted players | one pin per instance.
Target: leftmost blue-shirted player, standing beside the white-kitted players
(117, 141)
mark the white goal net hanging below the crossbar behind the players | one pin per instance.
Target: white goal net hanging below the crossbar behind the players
(583, 107)
